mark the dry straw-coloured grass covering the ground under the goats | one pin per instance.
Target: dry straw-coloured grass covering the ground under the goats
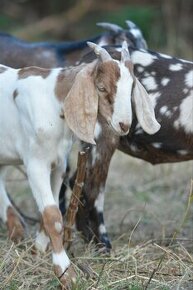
(149, 217)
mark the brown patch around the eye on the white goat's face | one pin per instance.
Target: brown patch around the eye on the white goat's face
(107, 75)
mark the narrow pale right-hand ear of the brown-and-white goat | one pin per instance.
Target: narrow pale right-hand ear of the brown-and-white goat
(144, 109)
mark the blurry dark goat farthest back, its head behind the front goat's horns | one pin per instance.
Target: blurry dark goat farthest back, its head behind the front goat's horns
(18, 53)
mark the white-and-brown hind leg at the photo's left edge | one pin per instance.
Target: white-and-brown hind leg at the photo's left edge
(8, 213)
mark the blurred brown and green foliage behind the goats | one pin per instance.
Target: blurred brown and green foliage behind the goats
(167, 24)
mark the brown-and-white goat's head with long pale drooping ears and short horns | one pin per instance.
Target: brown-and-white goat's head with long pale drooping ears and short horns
(107, 87)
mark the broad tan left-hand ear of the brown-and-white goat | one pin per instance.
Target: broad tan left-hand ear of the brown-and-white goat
(81, 105)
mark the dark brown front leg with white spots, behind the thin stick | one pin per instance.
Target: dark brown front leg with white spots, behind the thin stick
(90, 219)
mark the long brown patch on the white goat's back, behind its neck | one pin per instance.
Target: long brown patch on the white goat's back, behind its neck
(33, 71)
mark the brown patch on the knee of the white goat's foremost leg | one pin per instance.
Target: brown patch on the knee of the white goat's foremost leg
(50, 216)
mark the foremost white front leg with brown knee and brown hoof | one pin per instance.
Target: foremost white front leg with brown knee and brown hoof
(39, 179)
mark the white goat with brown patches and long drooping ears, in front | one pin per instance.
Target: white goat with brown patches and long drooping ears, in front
(39, 112)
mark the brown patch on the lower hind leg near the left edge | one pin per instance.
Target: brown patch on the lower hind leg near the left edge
(15, 228)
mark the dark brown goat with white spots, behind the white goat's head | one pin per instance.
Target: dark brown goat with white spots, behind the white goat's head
(169, 83)
